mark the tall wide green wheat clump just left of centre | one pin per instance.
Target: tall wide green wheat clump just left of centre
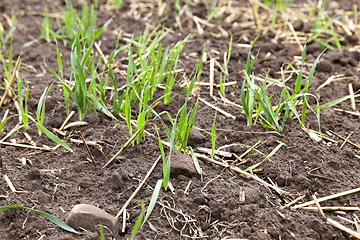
(155, 66)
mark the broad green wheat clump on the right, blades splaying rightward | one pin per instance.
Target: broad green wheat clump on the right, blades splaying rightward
(256, 101)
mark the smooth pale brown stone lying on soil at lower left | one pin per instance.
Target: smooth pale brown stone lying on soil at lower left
(88, 217)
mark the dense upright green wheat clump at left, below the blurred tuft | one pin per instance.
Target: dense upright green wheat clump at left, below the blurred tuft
(82, 66)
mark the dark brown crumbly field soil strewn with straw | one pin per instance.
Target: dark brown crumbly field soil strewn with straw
(212, 208)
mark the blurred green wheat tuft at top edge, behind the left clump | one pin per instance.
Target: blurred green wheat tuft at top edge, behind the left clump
(86, 25)
